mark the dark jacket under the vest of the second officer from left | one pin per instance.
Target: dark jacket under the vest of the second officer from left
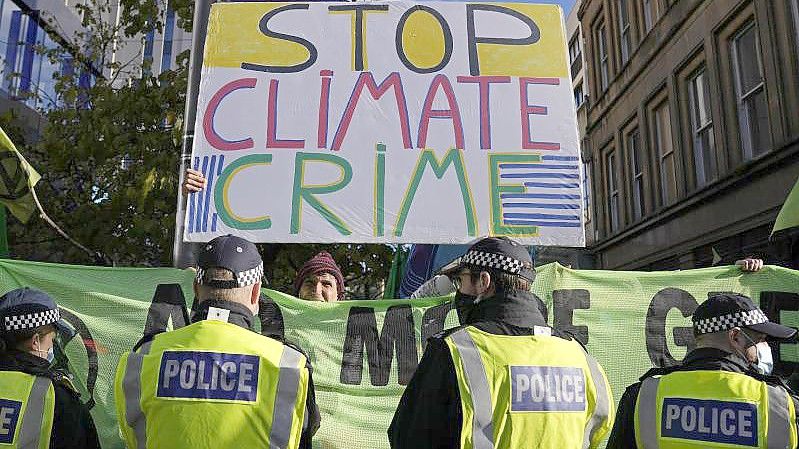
(242, 316)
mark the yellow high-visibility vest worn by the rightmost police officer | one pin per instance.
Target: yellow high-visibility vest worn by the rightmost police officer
(713, 409)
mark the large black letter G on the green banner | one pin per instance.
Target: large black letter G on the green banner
(662, 303)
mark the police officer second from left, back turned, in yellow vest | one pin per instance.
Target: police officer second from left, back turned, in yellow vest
(216, 383)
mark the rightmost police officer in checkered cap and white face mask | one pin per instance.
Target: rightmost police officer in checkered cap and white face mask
(723, 393)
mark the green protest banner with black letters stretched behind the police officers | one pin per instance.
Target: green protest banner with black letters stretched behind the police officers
(364, 352)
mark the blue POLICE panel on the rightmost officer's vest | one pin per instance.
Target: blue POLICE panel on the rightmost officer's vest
(726, 422)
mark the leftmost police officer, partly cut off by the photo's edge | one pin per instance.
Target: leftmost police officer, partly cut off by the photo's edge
(39, 406)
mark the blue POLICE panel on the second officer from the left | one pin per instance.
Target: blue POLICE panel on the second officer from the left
(208, 375)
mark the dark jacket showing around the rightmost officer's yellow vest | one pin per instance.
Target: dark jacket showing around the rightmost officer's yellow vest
(703, 359)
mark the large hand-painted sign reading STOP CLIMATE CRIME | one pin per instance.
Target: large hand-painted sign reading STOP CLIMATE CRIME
(435, 122)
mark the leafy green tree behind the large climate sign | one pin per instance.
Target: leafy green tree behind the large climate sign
(109, 154)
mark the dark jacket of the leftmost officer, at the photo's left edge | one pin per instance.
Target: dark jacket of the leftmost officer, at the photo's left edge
(73, 427)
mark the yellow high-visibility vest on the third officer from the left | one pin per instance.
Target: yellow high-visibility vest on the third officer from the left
(535, 391)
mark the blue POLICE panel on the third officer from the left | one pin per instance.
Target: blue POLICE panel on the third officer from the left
(547, 389)
